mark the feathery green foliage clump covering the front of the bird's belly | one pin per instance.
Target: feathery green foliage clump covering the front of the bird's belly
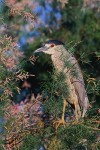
(56, 89)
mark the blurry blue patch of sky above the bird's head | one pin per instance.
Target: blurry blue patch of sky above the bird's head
(48, 16)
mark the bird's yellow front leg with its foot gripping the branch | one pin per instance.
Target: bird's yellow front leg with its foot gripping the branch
(62, 120)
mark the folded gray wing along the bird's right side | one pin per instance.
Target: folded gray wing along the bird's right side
(79, 85)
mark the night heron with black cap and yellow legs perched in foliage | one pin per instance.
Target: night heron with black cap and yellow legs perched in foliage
(77, 93)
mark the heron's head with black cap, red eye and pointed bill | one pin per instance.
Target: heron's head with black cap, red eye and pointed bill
(49, 47)
